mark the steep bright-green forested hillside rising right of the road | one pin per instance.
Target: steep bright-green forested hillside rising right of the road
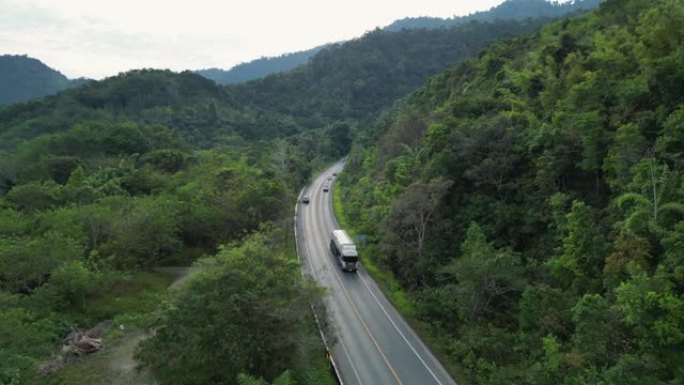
(530, 201)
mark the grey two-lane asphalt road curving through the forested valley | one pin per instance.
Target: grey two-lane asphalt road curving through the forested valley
(374, 344)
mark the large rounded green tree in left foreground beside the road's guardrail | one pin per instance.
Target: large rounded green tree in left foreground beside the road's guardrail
(245, 312)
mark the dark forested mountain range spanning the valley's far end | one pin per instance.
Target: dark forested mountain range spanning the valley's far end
(347, 84)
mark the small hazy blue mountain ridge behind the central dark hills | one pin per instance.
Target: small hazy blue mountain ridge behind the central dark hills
(259, 68)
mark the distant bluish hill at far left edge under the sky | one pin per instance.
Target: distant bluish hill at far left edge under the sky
(23, 78)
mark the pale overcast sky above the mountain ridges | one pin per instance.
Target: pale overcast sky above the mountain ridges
(100, 38)
